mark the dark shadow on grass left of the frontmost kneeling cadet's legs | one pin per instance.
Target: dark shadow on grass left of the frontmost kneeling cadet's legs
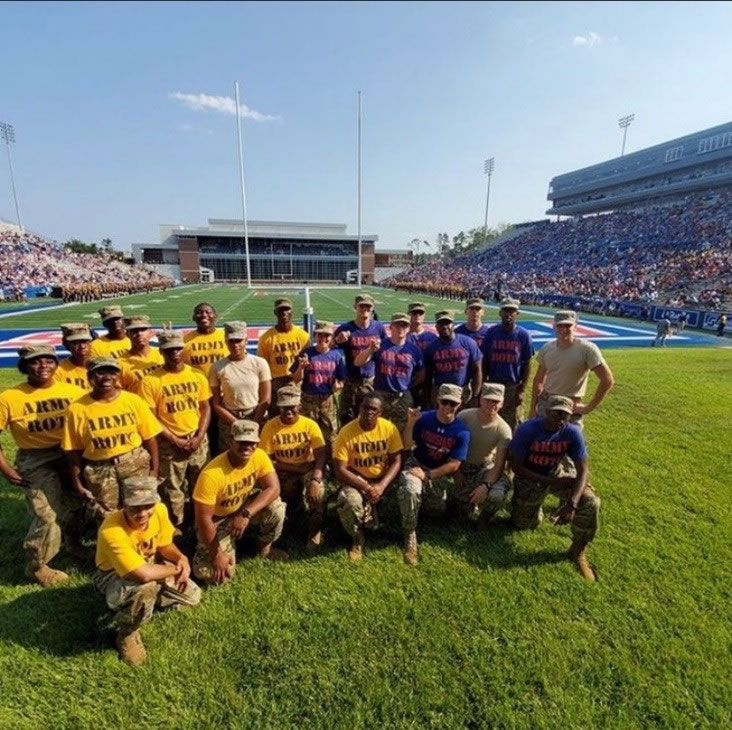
(63, 620)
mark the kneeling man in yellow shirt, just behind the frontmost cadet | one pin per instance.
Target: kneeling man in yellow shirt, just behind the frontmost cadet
(226, 504)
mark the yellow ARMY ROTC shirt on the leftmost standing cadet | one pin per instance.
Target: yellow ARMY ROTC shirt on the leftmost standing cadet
(36, 415)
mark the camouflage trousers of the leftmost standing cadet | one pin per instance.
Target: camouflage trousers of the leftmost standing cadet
(54, 508)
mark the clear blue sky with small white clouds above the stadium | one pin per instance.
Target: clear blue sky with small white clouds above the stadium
(105, 149)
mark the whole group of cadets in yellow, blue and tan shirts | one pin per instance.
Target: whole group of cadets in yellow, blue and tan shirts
(125, 432)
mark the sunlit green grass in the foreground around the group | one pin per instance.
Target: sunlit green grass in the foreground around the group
(492, 629)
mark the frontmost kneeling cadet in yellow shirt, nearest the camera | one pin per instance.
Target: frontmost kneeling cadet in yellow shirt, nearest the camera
(138, 566)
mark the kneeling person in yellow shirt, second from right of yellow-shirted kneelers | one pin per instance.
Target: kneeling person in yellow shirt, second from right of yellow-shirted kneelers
(297, 447)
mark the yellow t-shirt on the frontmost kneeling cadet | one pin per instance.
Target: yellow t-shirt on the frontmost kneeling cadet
(123, 549)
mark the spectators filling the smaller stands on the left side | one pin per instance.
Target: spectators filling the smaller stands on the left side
(27, 260)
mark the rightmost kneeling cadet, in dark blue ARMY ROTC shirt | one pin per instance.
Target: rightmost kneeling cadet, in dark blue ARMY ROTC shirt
(538, 456)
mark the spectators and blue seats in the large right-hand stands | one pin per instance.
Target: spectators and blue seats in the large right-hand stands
(661, 254)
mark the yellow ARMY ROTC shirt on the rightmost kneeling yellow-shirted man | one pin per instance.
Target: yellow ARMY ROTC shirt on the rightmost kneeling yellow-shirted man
(366, 452)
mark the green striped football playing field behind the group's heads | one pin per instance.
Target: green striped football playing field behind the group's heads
(234, 302)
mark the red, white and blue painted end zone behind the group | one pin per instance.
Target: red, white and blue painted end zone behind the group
(604, 334)
